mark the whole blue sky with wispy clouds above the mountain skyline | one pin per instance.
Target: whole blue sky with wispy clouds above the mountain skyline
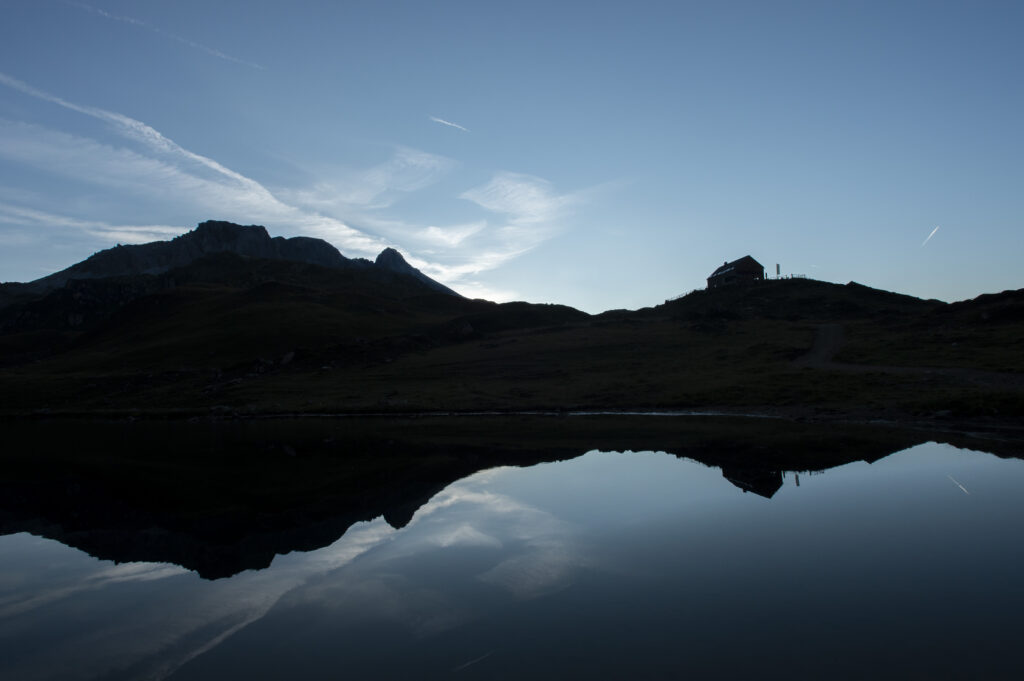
(596, 155)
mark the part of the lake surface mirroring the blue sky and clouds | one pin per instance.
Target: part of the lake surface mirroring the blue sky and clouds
(611, 566)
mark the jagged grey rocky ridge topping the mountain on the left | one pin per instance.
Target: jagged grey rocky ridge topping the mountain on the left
(215, 237)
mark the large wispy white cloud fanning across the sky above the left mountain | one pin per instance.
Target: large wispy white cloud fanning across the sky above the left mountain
(360, 211)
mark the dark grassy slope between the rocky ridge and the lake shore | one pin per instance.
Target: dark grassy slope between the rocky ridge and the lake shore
(267, 337)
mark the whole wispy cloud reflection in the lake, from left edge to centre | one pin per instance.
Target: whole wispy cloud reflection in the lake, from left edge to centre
(373, 574)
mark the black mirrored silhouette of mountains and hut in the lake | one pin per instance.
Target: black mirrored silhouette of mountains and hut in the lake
(224, 498)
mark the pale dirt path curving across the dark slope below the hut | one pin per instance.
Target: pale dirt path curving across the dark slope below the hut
(832, 337)
